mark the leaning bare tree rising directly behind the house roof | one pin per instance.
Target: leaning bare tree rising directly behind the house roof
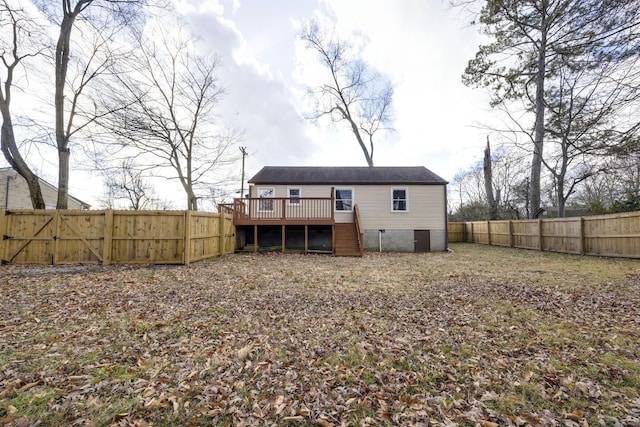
(354, 93)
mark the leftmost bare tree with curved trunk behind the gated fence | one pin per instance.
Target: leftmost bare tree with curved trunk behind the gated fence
(20, 40)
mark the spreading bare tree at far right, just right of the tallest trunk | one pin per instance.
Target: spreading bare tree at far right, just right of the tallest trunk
(590, 110)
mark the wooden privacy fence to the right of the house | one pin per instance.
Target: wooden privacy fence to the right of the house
(616, 235)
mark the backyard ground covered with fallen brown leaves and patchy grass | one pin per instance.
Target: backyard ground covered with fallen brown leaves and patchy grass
(482, 336)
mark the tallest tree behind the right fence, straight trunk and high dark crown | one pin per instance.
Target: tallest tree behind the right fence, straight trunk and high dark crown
(530, 38)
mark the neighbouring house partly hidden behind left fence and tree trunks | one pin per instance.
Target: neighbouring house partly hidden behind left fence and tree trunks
(14, 193)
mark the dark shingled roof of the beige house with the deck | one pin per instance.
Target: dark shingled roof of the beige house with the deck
(346, 175)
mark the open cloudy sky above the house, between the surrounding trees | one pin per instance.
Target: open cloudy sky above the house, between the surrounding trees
(421, 46)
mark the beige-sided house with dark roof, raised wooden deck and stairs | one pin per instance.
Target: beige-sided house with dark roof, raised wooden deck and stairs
(343, 210)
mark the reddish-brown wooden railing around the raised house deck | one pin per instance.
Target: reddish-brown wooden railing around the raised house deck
(280, 209)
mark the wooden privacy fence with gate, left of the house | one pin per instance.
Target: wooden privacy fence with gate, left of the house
(113, 237)
